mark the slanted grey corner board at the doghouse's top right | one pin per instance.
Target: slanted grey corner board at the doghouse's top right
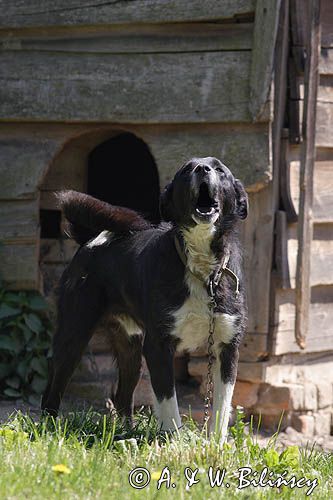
(265, 32)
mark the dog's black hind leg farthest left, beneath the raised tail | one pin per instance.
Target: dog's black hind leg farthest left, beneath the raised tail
(79, 309)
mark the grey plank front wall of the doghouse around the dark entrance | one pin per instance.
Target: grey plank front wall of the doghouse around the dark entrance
(187, 80)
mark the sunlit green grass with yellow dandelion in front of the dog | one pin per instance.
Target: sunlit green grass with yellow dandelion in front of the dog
(90, 456)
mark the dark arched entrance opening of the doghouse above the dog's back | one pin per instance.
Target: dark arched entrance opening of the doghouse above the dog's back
(122, 171)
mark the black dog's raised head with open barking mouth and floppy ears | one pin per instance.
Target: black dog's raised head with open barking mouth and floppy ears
(203, 191)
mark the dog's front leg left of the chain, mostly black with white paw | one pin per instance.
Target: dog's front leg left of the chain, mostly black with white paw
(159, 359)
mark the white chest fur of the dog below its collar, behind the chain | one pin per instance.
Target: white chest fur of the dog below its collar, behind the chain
(192, 321)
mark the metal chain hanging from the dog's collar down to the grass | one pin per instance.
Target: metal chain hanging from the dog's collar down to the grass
(210, 343)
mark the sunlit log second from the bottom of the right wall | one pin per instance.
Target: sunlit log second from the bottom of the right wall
(321, 254)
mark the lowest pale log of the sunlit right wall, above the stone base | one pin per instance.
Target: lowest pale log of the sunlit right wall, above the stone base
(320, 333)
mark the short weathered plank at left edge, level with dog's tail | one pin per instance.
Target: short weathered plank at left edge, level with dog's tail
(19, 220)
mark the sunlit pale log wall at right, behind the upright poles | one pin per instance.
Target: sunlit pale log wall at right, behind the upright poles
(320, 336)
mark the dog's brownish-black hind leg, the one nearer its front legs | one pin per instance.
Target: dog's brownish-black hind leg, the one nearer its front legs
(128, 354)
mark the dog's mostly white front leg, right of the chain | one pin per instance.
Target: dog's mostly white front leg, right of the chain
(224, 376)
